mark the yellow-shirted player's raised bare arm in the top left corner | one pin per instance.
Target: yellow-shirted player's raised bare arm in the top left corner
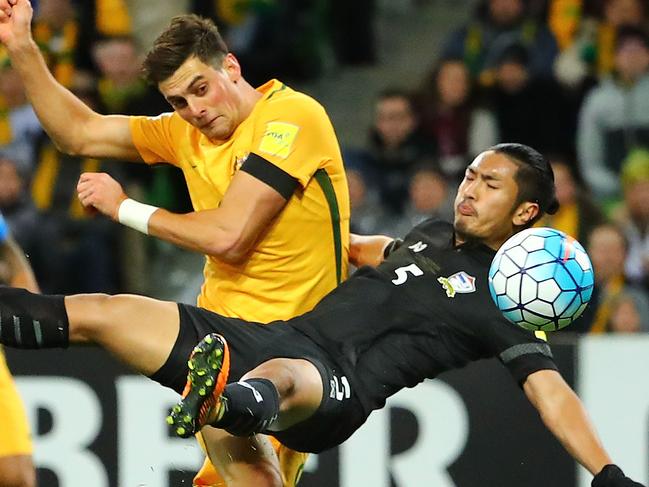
(71, 124)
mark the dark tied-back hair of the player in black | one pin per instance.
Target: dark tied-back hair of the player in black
(535, 178)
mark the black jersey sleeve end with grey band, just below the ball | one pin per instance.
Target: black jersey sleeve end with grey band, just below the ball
(523, 352)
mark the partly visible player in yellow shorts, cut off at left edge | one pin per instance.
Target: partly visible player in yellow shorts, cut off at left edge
(16, 466)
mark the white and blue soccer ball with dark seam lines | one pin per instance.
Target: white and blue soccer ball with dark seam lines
(541, 279)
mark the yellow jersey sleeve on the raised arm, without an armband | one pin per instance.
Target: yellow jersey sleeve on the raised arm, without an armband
(153, 137)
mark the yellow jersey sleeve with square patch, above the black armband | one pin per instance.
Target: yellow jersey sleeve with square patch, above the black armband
(294, 135)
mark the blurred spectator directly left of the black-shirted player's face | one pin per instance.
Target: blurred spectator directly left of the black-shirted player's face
(429, 196)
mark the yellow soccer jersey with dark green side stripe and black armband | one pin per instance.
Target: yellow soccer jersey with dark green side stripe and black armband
(304, 253)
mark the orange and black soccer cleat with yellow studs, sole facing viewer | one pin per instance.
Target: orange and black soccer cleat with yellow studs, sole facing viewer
(209, 365)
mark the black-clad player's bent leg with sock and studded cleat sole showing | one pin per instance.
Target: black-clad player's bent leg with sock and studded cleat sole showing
(272, 397)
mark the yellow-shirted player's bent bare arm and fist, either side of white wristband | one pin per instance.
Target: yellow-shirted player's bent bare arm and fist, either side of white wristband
(228, 232)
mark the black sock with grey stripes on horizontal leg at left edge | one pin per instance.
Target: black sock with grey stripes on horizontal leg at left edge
(30, 320)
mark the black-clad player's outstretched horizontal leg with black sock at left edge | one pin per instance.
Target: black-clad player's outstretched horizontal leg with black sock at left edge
(140, 331)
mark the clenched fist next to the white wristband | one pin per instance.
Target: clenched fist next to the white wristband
(102, 192)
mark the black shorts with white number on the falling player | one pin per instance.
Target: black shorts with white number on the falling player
(251, 344)
